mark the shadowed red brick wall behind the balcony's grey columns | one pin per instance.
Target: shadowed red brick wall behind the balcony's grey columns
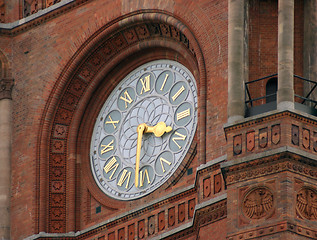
(263, 43)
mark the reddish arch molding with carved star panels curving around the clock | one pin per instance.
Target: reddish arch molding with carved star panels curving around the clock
(97, 57)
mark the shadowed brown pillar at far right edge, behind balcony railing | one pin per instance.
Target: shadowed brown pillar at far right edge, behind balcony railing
(310, 45)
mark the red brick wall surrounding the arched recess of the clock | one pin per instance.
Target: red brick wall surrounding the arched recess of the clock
(40, 54)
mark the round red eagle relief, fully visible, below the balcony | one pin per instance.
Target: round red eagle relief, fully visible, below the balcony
(258, 203)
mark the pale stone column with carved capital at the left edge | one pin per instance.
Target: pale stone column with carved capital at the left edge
(6, 86)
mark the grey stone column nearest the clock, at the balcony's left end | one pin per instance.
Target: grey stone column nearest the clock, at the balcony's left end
(236, 60)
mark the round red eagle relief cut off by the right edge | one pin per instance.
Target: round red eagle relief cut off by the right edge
(306, 203)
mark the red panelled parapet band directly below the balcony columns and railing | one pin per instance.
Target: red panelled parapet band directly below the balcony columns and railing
(270, 132)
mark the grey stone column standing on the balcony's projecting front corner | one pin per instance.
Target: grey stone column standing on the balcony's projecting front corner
(285, 92)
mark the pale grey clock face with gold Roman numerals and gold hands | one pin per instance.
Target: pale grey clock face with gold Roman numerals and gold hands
(159, 93)
